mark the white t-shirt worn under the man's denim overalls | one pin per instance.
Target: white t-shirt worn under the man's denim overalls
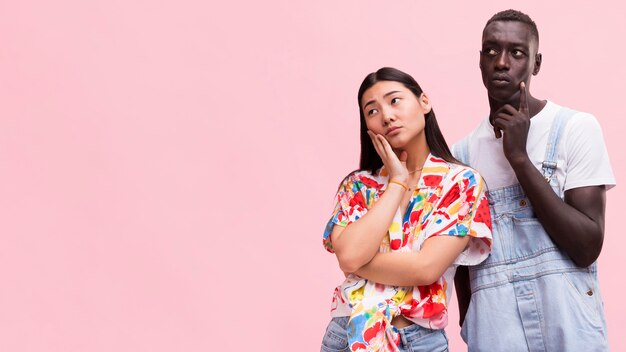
(582, 159)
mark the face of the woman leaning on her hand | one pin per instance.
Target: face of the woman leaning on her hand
(392, 110)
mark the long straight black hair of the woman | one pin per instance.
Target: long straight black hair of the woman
(370, 160)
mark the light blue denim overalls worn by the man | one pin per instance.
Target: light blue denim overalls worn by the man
(529, 295)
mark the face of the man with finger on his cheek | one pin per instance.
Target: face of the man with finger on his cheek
(508, 56)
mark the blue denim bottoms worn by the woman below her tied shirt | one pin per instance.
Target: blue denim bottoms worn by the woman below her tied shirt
(414, 338)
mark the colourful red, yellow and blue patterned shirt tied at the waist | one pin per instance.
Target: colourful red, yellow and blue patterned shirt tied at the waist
(449, 201)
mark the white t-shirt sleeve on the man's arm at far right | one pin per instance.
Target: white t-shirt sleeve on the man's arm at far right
(587, 158)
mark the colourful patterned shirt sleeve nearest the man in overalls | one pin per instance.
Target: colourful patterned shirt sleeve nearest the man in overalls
(463, 210)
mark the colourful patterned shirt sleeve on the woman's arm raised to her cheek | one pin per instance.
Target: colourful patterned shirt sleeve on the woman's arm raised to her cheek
(356, 193)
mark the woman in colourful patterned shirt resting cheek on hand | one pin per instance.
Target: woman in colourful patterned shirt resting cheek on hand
(402, 224)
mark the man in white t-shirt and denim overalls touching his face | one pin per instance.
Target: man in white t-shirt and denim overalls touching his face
(547, 171)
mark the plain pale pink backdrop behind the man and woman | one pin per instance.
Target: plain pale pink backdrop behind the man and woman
(167, 166)
